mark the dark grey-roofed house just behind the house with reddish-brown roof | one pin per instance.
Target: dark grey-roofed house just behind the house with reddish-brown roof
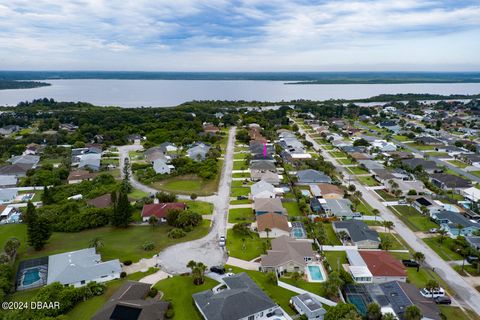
(360, 234)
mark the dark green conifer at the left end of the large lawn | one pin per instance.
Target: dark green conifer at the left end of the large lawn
(38, 229)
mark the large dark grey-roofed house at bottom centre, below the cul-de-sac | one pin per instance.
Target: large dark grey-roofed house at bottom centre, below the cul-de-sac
(241, 299)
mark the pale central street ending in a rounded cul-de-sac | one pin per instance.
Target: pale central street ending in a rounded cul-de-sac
(175, 258)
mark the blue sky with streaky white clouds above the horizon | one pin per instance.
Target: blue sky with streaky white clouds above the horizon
(240, 35)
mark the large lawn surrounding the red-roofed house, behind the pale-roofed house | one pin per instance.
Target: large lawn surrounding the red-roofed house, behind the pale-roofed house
(123, 244)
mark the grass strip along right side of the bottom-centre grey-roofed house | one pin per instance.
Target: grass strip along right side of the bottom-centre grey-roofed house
(280, 295)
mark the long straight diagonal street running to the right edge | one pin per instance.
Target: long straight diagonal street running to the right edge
(466, 294)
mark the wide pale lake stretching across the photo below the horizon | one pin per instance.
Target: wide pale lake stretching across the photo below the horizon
(162, 93)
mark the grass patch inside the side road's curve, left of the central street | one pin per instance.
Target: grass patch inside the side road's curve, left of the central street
(187, 184)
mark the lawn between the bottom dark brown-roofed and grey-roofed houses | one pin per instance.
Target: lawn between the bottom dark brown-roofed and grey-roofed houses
(179, 291)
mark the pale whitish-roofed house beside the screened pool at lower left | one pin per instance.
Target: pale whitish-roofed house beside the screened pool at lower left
(80, 267)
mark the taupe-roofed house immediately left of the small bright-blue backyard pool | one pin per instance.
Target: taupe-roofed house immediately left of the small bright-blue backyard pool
(287, 255)
